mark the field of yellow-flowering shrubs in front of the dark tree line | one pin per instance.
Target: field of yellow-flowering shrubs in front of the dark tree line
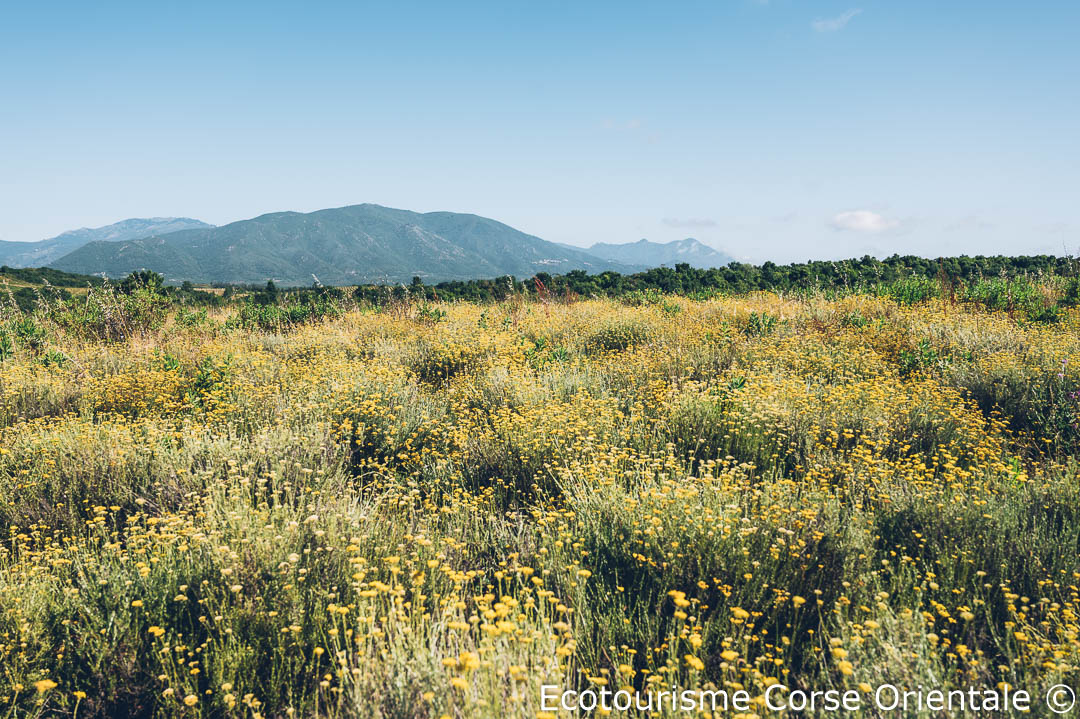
(434, 513)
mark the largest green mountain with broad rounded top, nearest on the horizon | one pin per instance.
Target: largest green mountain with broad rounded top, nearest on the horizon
(341, 247)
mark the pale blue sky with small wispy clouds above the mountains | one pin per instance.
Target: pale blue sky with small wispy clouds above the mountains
(772, 130)
